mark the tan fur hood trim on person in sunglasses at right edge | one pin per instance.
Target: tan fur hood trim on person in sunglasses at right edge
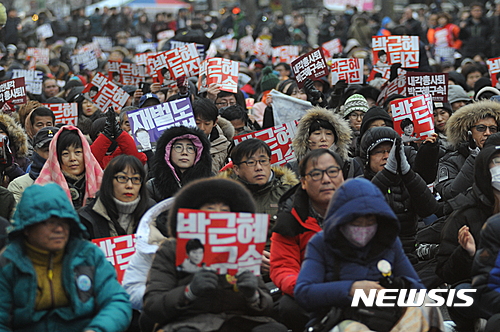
(464, 118)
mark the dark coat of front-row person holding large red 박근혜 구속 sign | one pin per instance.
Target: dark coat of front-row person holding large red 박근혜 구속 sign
(164, 298)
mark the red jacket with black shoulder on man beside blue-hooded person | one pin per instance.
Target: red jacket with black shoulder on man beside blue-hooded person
(293, 230)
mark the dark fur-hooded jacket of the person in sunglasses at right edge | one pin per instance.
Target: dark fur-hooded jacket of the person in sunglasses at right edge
(455, 169)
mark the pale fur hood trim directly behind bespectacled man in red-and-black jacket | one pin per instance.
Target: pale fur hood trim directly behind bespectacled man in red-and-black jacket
(343, 132)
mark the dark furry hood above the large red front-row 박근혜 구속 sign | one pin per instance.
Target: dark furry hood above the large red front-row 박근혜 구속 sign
(208, 191)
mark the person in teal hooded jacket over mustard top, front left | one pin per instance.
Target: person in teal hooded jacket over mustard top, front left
(51, 279)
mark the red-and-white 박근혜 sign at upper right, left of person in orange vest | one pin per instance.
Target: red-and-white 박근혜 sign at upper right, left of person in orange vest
(388, 50)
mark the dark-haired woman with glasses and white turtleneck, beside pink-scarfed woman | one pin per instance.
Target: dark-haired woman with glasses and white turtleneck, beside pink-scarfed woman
(121, 201)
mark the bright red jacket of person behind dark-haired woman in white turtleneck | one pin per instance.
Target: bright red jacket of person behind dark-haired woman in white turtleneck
(126, 145)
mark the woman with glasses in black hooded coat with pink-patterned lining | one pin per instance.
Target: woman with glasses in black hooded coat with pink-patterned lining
(182, 155)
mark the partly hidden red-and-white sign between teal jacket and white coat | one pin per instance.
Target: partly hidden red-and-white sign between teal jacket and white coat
(118, 251)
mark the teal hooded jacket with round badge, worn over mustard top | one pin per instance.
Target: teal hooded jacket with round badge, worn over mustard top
(102, 307)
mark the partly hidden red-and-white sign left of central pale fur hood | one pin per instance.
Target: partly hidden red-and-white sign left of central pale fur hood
(279, 140)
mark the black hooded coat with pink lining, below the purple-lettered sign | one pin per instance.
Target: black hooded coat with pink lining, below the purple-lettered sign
(165, 183)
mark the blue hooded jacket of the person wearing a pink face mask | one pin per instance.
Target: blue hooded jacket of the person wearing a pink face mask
(332, 264)
